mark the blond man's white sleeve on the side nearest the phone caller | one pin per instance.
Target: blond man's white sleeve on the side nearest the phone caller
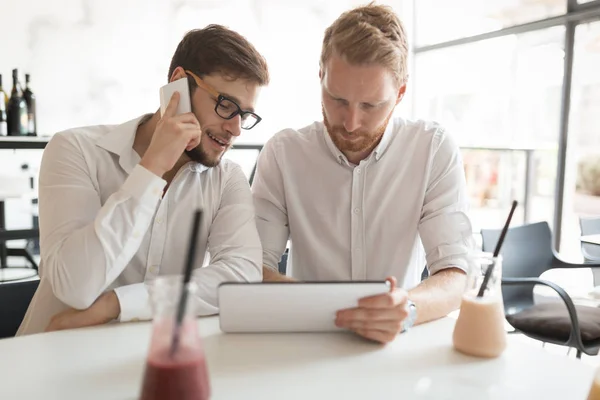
(269, 202)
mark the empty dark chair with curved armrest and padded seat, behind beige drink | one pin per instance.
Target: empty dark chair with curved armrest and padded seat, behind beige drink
(527, 252)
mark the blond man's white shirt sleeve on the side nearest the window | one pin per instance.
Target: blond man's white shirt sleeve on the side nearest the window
(445, 228)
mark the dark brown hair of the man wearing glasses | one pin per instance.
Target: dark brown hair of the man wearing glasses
(216, 48)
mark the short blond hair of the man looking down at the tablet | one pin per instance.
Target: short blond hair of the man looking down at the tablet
(369, 35)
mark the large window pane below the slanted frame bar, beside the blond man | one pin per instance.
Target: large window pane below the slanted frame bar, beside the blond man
(500, 99)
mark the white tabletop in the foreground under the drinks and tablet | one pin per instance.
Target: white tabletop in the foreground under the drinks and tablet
(107, 363)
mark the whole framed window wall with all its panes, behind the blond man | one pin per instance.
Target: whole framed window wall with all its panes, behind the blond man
(493, 73)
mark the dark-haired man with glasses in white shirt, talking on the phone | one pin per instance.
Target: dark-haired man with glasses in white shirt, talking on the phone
(116, 201)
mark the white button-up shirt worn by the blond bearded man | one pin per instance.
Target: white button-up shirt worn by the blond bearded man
(400, 209)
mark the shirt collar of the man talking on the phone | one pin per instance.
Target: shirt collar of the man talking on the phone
(119, 141)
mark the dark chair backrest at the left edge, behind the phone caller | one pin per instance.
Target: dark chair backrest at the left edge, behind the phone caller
(14, 300)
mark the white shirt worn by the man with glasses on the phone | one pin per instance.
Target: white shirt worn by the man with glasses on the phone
(105, 225)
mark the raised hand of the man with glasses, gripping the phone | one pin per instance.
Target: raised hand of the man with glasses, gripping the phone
(174, 133)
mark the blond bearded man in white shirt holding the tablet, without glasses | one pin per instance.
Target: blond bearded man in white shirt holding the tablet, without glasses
(363, 195)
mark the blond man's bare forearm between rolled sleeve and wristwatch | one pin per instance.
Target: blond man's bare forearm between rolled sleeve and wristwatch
(438, 295)
